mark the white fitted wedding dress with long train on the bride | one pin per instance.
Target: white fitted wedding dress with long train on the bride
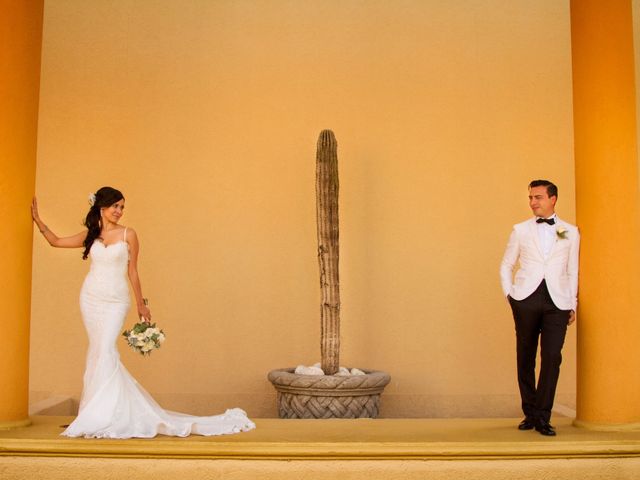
(113, 404)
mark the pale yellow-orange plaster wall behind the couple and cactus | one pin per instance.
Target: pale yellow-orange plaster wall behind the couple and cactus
(206, 114)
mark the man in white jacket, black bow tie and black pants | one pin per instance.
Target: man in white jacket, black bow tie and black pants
(543, 299)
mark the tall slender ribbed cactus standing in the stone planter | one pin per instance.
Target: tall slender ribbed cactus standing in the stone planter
(328, 249)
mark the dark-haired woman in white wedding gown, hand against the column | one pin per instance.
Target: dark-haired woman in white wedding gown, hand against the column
(113, 404)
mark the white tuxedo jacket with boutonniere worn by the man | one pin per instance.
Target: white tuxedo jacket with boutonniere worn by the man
(559, 269)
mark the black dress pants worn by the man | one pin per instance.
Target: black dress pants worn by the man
(537, 318)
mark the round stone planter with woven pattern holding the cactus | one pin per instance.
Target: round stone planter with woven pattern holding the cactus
(328, 396)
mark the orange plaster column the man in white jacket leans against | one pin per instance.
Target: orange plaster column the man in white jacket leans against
(608, 214)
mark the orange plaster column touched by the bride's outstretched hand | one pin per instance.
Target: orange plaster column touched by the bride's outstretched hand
(21, 27)
